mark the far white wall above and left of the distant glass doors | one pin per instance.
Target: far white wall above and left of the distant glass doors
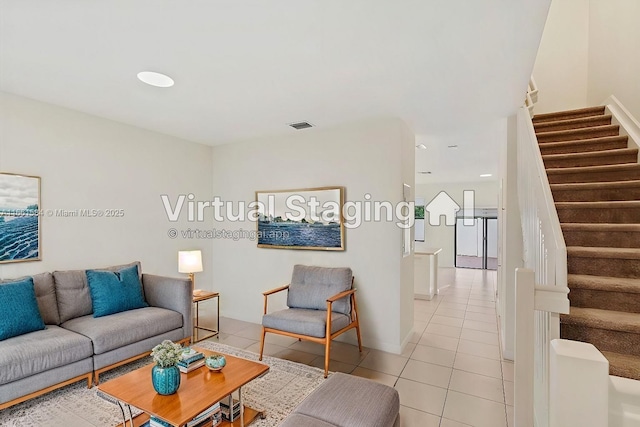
(442, 236)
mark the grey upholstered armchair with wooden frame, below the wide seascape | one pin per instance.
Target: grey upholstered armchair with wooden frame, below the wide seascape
(322, 305)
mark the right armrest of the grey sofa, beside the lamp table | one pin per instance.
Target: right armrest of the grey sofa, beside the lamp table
(172, 294)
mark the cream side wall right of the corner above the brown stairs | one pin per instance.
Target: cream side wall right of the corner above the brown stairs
(614, 53)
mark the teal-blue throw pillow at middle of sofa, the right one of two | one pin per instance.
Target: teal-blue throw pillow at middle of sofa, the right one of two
(115, 291)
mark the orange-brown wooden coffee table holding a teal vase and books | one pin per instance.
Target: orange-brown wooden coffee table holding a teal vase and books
(199, 389)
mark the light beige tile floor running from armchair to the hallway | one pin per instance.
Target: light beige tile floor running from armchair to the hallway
(450, 375)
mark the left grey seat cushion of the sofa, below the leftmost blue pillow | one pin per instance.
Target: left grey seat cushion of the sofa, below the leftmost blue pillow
(39, 351)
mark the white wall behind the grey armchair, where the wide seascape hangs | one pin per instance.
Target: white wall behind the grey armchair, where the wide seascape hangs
(373, 157)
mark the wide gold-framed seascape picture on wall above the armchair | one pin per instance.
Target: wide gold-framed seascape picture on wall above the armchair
(306, 218)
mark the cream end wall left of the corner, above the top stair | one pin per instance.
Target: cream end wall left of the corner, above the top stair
(561, 64)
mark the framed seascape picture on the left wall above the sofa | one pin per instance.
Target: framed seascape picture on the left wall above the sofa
(20, 219)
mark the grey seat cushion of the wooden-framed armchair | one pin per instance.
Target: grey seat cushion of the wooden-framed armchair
(303, 321)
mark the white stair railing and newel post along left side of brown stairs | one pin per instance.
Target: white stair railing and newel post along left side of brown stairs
(545, 257)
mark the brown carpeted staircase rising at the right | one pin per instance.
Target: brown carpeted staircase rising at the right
(595, 182)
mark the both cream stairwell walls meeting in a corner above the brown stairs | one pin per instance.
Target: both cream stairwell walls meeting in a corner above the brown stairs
(589, 51)
